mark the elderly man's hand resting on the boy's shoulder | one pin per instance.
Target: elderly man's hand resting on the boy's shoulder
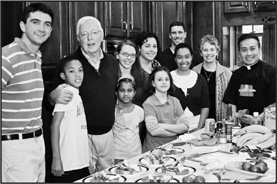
(61, 95)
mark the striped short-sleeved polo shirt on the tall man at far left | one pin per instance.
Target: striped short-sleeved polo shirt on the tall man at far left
(22, 89)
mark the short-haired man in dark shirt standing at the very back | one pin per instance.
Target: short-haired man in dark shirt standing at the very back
(177, 34)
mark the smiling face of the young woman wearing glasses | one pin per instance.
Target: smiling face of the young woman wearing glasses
(127, 62)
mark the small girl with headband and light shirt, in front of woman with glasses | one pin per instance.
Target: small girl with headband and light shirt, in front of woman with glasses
(127, 118)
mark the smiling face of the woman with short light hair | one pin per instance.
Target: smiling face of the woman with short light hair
(209, 52)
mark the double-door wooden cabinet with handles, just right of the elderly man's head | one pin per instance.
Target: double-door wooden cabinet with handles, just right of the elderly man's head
(125, 19)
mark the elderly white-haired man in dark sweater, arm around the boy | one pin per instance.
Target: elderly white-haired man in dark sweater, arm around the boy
(97, 92)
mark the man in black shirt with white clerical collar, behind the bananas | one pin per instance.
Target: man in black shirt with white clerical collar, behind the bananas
(253, 85)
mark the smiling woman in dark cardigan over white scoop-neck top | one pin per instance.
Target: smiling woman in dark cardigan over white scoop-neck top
(191, 88)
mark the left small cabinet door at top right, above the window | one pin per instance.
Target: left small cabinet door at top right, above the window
(236, 6)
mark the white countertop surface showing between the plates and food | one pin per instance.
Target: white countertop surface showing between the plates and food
(221, 156)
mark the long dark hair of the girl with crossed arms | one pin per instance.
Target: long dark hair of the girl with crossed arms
(151, 88)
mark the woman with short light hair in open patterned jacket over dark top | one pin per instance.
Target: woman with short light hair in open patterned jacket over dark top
(216, 75)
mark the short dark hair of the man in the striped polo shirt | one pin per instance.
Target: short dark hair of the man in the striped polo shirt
(37, 7)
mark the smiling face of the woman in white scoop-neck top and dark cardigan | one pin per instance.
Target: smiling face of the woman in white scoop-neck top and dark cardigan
(183, 59)
